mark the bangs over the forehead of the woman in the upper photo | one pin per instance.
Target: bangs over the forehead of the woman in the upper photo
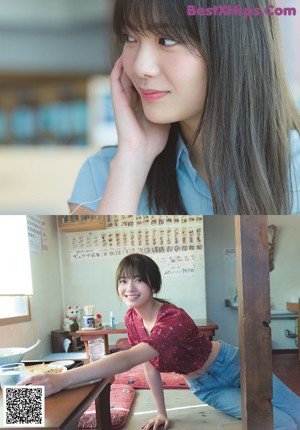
(167, 18)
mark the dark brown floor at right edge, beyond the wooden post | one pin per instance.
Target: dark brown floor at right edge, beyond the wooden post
(286, 365)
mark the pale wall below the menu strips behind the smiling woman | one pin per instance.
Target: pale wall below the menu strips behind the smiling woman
(92, 282)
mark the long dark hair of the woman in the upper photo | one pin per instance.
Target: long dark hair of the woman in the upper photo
(248, 113)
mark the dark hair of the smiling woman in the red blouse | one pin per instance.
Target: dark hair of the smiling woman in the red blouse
(145, 268)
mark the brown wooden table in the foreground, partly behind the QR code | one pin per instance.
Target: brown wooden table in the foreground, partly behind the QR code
(64, 409)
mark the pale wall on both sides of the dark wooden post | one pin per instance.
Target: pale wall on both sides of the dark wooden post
(221, 276)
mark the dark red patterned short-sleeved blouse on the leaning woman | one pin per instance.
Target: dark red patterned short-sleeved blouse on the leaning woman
(182, 347)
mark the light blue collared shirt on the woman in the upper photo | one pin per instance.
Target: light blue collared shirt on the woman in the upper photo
(195, 193)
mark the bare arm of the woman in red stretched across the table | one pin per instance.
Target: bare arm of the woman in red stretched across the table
(109, 365)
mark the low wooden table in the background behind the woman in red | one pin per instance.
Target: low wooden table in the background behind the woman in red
(207, 326)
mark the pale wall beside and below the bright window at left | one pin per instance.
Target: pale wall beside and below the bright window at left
(46, 302)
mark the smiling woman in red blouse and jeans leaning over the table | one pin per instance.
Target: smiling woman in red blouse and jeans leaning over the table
(166, 339)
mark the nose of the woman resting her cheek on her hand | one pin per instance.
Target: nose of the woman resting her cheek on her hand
(146, 63)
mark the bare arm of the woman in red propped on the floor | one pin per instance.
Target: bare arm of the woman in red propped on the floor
(154, 380)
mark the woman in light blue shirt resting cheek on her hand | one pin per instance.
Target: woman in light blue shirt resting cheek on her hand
(204, 118)
